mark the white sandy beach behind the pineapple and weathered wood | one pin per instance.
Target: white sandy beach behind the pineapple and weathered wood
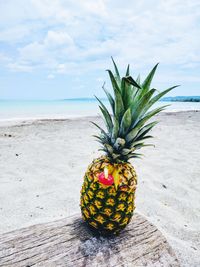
(42, 165)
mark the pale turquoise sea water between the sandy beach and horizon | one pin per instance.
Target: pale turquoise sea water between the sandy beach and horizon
(21, 109)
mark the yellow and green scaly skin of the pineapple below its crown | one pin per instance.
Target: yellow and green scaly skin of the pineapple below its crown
(107, 209)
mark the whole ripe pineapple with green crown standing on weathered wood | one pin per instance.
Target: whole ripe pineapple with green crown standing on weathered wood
(108, 190)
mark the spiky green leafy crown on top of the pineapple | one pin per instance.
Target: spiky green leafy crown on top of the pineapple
(126, 125)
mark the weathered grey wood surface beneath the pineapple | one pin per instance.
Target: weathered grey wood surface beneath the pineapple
(68, 242)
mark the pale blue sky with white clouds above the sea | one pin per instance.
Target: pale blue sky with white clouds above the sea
(55, 49)
